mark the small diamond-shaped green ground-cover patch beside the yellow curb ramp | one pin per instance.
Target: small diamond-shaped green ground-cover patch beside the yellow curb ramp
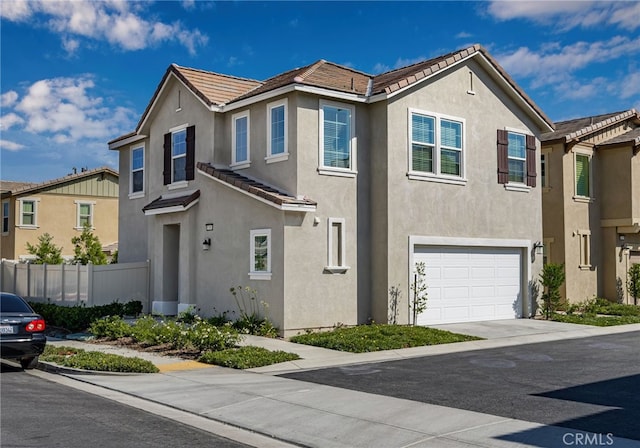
(247, 357)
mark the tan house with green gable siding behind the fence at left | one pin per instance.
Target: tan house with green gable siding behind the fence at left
(59, 207)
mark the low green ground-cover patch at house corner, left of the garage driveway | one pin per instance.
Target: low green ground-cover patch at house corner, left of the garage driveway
(371, 338)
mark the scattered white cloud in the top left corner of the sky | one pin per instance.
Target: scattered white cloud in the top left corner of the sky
(118, 22)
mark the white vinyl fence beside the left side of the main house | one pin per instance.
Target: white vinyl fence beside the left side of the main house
(67, 284)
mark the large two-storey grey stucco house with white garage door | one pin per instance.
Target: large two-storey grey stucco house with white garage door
(322, 187)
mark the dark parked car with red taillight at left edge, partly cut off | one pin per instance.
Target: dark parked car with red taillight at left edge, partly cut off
(22, 336)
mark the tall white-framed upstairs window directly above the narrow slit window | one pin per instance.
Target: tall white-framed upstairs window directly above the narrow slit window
(337, 139)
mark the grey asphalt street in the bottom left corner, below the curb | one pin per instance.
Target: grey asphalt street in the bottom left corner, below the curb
(37, 412)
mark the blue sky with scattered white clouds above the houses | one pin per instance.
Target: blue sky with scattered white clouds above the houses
(76, 74)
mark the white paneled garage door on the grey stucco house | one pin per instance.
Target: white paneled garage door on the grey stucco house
(470, 284)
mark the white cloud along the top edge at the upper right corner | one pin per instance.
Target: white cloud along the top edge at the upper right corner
(565, 15)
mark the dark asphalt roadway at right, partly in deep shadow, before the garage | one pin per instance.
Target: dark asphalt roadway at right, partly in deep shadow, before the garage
(588, 384)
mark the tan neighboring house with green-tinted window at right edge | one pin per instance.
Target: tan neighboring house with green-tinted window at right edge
(591, 202)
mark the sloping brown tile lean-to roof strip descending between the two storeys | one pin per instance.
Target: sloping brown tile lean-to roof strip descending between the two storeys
(254, 187)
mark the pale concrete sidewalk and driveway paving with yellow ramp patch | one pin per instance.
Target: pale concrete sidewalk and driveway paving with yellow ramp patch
(287, 412)
